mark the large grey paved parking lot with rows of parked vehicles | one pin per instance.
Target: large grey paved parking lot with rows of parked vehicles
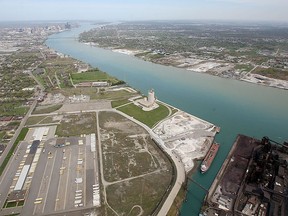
(64, 177)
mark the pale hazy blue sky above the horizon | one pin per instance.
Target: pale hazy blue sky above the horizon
(108, 10)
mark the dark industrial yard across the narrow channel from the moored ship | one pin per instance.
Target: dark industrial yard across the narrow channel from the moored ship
(252, 180)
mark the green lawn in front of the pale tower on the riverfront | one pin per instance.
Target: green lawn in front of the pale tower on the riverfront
(149, 118)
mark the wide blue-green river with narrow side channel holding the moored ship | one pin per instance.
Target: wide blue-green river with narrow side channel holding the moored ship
(237, 107)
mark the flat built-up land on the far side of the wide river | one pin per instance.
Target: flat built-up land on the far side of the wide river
(201, 48)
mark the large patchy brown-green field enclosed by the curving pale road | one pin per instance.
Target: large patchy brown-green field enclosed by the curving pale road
(128, 151)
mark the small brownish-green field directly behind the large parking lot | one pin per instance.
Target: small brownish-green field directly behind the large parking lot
(77, 124)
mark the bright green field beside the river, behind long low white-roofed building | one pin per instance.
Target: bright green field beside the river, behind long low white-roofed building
(92, 75)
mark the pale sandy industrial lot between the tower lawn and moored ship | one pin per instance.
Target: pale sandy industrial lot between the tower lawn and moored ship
(188, 137)
